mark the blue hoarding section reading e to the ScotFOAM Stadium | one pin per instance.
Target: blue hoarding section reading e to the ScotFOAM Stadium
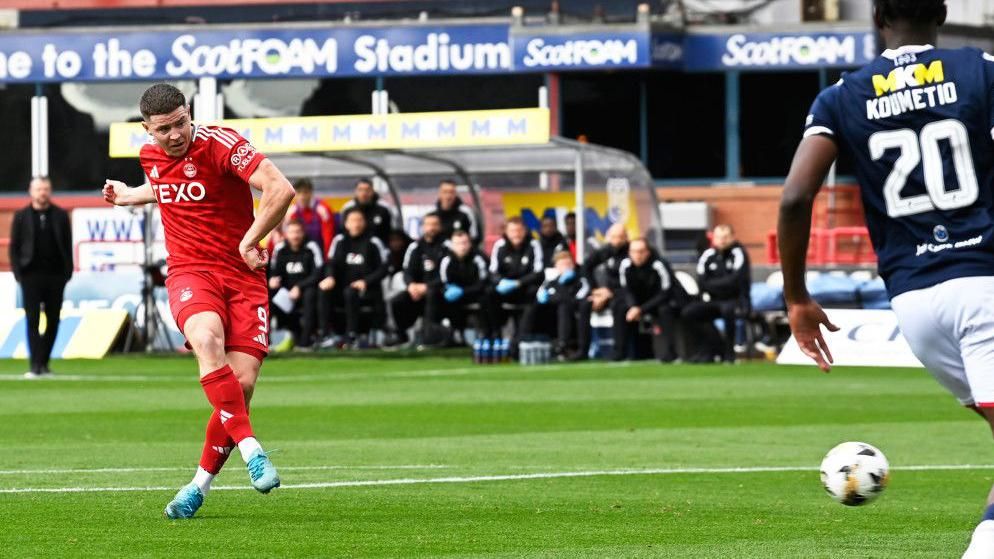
(254, 53)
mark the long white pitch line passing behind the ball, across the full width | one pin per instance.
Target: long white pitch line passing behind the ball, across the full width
(499, 477)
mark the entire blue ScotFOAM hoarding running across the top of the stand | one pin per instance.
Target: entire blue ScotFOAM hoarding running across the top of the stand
(351, 51)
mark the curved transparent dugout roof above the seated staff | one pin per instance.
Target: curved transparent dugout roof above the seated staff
(557, 166)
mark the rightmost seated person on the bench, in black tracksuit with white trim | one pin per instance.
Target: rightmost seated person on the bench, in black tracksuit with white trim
(724, 274)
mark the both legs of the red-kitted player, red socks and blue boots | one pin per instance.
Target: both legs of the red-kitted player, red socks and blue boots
(229, 425)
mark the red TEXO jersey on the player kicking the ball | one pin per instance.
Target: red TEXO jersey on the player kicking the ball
(204, 199)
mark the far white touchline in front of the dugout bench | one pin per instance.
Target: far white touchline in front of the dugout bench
(276, 378)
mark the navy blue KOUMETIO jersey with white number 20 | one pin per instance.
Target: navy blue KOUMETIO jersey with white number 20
(918, 123)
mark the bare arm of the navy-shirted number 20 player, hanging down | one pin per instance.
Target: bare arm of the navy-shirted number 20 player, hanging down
(811, 164)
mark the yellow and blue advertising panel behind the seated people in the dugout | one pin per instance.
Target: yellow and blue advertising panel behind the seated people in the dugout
(602, 211)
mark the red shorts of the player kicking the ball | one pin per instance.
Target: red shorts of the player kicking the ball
(241, 300)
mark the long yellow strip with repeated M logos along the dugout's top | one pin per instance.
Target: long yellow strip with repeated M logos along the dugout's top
(359, 132)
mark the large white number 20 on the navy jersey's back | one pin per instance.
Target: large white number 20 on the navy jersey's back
(924, 148)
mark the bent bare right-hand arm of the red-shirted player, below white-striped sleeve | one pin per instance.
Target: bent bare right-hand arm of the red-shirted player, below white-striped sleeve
(277, 195)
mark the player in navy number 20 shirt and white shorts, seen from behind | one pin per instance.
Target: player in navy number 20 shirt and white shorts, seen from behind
(917, 122)
